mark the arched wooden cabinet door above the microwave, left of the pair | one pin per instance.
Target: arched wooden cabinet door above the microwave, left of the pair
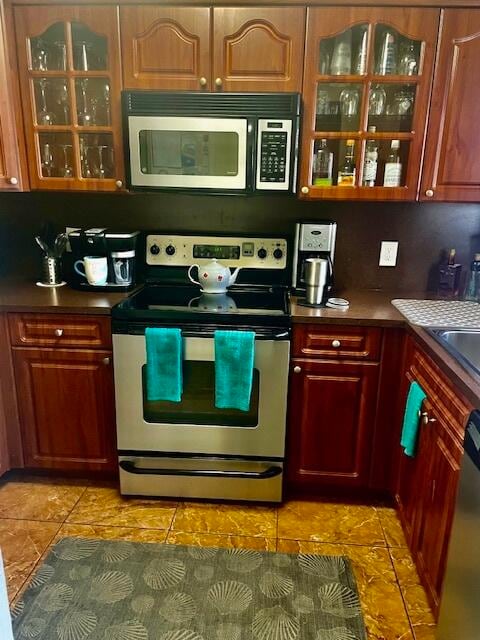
(165, 48)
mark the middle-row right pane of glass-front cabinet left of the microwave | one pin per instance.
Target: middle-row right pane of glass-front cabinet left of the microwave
(93, 101)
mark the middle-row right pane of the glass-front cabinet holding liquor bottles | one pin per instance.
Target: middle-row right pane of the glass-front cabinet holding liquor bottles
(391, 107)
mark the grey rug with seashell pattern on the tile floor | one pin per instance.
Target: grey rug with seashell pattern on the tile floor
(110, 590)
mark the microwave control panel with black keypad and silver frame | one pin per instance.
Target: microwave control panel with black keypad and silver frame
(274, 146)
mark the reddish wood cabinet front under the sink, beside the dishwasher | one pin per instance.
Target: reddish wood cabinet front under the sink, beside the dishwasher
(427, 483)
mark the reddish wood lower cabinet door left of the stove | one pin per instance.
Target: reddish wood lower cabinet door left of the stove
(66, 408)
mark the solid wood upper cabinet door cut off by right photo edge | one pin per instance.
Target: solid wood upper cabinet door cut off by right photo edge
(451, 165)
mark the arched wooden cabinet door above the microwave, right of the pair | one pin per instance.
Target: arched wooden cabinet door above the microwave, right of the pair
(258, 49)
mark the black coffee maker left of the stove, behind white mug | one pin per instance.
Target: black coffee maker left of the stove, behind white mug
(119, 248)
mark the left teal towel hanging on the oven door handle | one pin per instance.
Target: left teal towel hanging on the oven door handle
(164, 364)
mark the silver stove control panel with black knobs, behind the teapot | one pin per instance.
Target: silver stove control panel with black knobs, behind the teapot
(183, 251)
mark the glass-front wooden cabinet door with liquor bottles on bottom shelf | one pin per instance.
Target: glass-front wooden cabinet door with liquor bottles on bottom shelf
(368, 74)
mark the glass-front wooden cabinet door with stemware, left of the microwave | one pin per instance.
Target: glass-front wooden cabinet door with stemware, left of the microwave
(70, 80)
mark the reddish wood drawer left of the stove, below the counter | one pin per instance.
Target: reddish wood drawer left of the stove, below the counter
(57, 330)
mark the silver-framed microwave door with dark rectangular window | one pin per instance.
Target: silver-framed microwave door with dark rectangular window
(191, 152)
